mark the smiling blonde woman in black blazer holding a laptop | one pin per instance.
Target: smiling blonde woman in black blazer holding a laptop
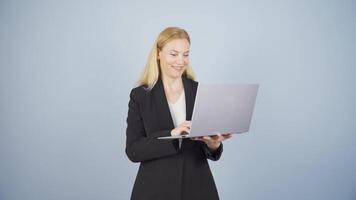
(162, 105)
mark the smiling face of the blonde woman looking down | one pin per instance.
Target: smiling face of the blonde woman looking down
(174, 58)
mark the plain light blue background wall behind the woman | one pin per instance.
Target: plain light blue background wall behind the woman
(67, 68)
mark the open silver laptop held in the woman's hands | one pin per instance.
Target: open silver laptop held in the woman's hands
(221, 108)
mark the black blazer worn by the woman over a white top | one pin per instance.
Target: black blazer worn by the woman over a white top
(166, 171)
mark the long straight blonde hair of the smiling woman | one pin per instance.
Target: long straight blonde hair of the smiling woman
(151, 72)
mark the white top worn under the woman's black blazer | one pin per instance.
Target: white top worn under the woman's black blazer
(178, 112)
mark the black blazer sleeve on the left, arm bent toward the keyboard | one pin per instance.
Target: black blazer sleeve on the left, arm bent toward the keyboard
(140, 147)
